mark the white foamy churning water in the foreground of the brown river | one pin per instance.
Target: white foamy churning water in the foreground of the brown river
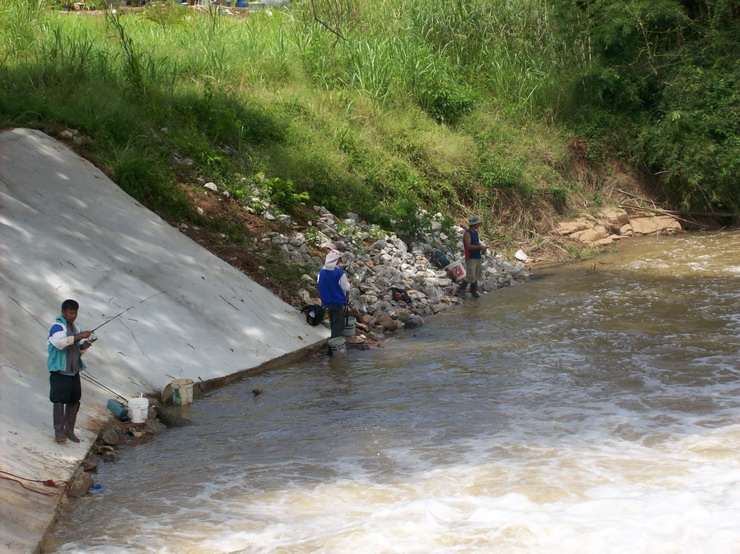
(590, 495)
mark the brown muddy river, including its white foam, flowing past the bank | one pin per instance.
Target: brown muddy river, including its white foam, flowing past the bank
(595, 409)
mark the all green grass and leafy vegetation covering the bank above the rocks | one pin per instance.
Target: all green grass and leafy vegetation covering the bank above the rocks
(380, 107)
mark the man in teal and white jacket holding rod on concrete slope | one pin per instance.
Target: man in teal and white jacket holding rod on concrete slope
(65, 346)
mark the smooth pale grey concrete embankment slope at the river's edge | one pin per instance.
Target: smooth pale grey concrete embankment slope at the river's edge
(67, 231)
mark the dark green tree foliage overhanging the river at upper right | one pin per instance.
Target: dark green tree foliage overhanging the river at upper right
(666, 73)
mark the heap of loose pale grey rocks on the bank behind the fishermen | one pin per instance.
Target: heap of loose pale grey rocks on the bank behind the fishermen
(377, 262)
